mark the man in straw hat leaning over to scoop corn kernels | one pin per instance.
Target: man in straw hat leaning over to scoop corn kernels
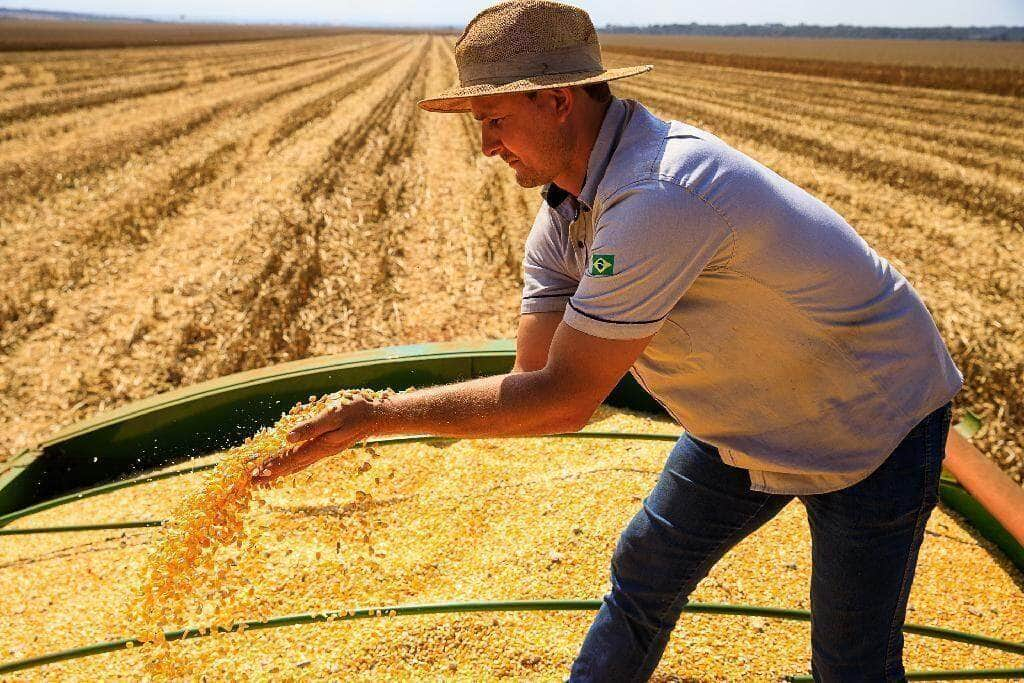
(800, 363)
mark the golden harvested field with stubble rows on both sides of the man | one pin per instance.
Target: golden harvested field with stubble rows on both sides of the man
(172, 215)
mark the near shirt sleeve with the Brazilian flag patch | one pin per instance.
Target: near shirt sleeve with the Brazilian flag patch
(652, 241)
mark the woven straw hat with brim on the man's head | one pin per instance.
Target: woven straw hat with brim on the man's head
(525, 46)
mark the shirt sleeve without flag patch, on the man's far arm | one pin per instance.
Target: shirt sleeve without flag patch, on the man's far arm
(548, 284)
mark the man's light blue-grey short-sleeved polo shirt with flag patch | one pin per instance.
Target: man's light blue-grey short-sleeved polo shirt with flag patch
(780, 335)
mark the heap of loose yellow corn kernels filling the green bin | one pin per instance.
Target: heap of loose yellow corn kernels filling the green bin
(449, 522)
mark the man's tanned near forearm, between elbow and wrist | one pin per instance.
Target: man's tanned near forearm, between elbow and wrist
(517, 405)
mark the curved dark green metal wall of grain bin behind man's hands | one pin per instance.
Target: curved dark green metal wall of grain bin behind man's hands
(215, 415)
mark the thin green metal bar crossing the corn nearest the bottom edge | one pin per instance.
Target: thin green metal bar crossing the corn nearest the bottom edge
(509, 606)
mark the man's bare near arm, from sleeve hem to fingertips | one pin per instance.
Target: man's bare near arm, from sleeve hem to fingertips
(561, 397)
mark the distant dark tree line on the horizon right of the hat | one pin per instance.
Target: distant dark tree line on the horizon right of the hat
(1004, 33)
